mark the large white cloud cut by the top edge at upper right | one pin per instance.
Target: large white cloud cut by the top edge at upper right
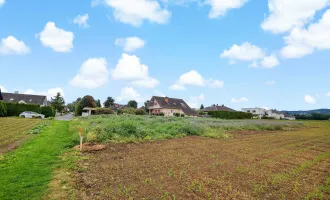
(287, 14)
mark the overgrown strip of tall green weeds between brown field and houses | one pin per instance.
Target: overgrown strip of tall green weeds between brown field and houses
(130, 128)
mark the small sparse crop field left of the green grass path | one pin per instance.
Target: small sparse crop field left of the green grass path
(13, 131)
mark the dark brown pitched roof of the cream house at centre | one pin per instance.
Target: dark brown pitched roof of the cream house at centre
(173, 103)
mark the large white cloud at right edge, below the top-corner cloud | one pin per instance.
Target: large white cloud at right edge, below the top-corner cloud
(303, 41)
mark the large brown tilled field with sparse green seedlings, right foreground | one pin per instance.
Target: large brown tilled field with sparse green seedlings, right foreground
(254, 164)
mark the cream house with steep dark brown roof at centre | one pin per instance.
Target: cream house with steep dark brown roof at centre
(169, 106)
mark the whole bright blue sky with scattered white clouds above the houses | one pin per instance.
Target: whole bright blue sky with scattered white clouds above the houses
(243, 53)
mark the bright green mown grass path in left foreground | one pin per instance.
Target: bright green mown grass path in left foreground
(26, 172)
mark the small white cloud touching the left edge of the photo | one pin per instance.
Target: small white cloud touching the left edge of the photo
(11, 45)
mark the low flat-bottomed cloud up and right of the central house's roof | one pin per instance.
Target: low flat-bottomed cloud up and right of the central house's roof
(193, 78)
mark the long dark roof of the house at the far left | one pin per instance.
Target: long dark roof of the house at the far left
(27, 98)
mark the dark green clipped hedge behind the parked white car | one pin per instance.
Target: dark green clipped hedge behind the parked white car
(15, 109)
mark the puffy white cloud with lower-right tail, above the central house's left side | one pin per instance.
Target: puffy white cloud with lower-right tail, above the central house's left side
(130, 68)
